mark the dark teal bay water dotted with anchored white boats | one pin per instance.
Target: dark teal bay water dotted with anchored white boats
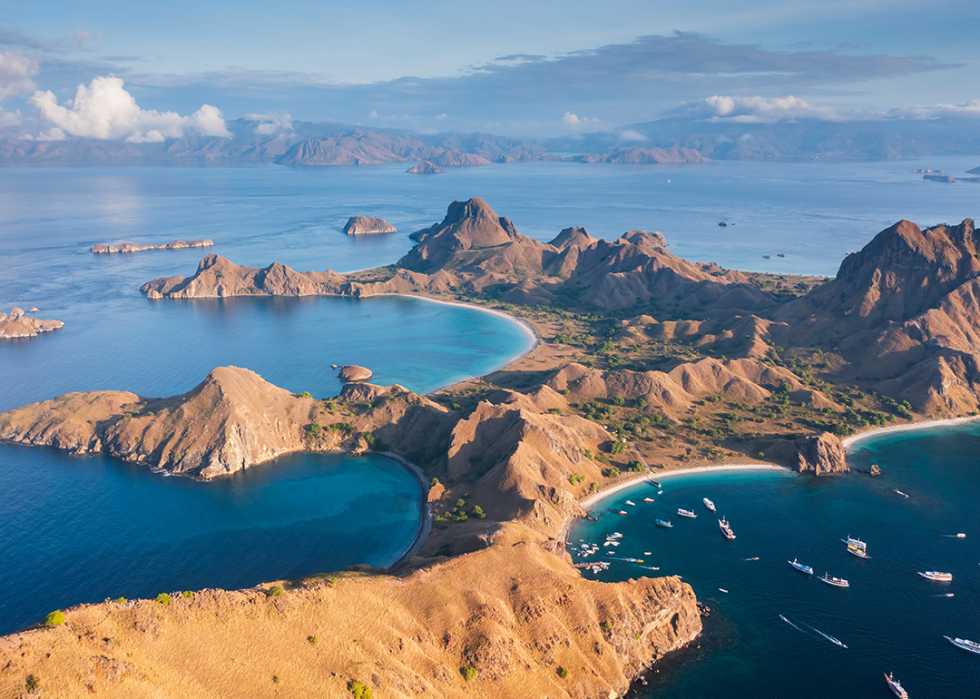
(890, 618)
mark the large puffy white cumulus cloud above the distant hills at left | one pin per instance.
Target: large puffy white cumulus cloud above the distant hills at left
(105, 110)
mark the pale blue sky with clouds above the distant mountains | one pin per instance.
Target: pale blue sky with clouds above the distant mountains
(149, 71)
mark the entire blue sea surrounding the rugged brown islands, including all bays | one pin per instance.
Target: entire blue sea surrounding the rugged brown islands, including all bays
(81, 529)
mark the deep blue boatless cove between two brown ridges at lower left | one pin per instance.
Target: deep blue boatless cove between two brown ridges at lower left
(81, 529)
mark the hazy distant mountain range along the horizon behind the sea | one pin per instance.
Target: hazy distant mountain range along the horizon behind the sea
(671, 140)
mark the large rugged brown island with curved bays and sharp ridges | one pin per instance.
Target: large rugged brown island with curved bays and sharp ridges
(645, 362)
